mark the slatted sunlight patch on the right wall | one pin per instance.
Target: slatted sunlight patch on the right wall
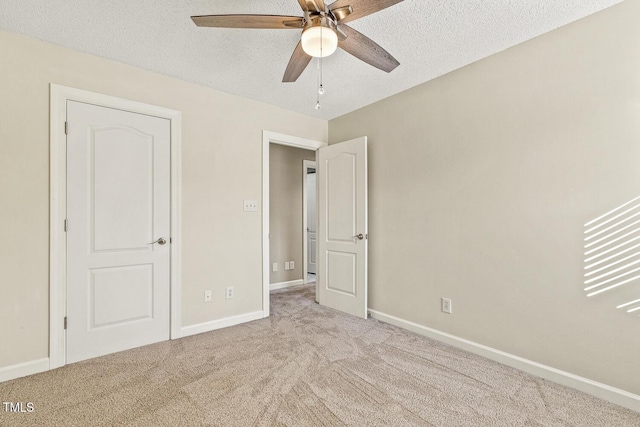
(612, 252)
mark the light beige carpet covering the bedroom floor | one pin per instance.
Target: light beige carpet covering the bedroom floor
(304, 366)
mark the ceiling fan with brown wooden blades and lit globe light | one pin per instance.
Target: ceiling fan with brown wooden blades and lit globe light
(324, 29)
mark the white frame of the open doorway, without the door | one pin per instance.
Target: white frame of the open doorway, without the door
(269, 137)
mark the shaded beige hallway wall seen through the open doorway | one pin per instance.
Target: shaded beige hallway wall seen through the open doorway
(285, 209)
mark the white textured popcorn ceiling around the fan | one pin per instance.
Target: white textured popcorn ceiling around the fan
(428, 37)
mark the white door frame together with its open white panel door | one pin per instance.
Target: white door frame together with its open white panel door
(342, 281)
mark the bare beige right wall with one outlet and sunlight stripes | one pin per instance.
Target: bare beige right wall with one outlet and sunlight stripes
(481, 181)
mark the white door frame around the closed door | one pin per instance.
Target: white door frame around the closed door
(59, 95)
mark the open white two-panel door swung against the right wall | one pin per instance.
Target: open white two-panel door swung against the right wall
(342, 226)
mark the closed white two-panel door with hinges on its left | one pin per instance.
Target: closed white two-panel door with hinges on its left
(118, 202)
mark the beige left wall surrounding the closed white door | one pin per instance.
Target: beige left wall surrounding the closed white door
(222, 149)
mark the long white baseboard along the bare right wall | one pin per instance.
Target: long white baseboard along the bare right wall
(585, 385)
